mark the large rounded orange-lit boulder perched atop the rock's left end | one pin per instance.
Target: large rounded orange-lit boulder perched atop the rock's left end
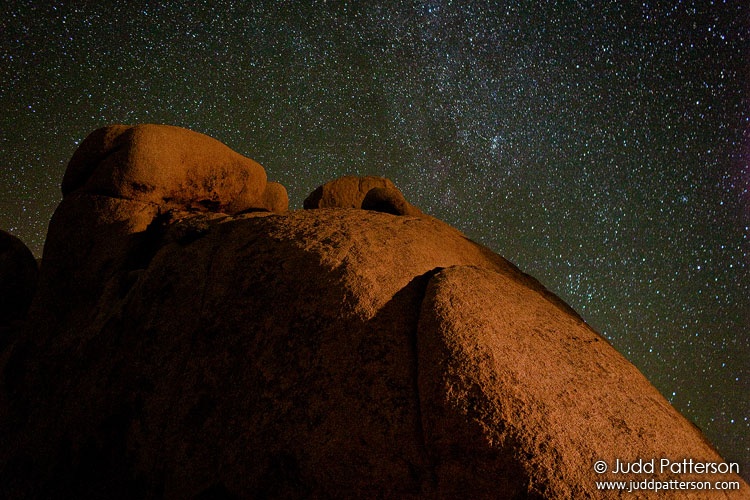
(168, 166)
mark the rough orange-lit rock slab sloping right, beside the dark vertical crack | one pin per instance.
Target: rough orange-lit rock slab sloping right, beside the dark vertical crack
(520, 397)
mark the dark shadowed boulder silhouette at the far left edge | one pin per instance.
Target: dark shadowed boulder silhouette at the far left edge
(18, 278)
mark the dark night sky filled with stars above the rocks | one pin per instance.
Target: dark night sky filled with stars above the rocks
(603, 147)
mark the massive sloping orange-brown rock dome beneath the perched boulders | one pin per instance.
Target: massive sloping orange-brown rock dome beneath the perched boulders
(312, 354)
